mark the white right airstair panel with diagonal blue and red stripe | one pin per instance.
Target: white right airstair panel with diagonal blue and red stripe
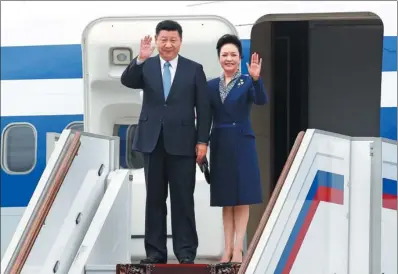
(329, 225)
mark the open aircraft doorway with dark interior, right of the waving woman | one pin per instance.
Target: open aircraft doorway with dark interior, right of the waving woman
(321, 71)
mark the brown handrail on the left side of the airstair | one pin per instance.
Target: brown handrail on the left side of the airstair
(27, 241)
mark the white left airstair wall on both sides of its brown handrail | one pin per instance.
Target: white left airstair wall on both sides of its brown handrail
(95, 151)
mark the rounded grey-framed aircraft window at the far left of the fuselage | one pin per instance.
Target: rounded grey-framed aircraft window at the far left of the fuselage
(19, 148)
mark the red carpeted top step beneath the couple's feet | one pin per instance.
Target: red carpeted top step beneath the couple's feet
(177, 268)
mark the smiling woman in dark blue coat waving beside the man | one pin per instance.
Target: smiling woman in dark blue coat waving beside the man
(234, 172)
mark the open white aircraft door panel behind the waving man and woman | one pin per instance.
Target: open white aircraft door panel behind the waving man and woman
(108, 46)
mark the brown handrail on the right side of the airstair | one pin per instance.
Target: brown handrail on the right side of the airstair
(271, 203)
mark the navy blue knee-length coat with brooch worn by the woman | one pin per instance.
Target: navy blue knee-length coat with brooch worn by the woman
(234, 171)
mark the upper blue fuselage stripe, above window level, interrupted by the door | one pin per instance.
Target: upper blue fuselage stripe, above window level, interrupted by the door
(65, 61)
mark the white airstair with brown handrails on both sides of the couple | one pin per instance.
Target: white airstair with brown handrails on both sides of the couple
(334, 210)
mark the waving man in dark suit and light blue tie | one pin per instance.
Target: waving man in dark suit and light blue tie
(173, 87)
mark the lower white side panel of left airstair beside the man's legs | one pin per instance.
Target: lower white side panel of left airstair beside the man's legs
(107, 239)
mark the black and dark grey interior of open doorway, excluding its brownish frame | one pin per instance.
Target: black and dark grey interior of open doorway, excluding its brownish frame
(326, 75)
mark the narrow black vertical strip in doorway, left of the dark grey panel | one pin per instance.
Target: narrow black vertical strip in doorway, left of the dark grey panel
(289, 86)
